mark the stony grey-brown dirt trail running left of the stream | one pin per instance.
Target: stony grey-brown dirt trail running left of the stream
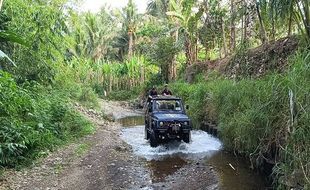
(103, 161)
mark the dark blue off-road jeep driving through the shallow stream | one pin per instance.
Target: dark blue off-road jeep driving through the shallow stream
(165, 120)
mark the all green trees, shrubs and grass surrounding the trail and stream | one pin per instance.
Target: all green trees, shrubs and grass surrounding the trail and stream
(53, 55)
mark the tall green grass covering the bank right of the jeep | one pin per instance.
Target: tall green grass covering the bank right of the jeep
(266, 119)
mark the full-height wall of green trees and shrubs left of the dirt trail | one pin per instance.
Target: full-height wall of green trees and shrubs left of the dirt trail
(37, 86)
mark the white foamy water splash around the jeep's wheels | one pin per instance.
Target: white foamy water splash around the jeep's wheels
(202, 145)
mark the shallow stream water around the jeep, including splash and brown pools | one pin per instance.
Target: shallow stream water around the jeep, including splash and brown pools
(165, 160)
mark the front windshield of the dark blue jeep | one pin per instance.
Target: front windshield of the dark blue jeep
(168, 105)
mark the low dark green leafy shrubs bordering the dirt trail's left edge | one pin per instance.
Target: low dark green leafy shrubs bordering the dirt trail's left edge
(34, 119)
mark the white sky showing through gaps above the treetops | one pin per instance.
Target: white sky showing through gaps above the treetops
(95, 5)
